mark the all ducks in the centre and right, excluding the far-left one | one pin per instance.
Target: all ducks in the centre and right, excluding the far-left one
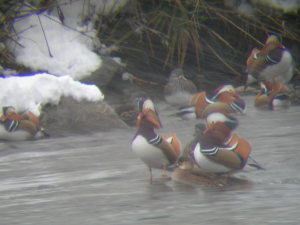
(215, 150)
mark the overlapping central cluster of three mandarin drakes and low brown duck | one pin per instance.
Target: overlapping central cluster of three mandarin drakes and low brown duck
(215, 147)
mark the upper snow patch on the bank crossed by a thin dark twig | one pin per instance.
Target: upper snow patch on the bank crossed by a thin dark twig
(69, 51)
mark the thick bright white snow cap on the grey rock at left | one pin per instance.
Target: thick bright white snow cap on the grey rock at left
(32, 92)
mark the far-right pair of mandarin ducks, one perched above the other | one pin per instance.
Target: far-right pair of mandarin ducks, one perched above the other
(273, 68)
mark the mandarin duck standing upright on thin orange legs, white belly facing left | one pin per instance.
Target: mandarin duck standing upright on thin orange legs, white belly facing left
(156, 151)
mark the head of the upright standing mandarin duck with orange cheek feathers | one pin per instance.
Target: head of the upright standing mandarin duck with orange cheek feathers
(147, 114)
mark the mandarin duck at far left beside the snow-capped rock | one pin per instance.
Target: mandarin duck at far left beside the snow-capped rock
(24, 126)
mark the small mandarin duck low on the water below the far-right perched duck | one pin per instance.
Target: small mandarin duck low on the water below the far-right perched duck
(272, 95)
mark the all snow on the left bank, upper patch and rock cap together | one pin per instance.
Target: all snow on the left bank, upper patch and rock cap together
(68, 57)
